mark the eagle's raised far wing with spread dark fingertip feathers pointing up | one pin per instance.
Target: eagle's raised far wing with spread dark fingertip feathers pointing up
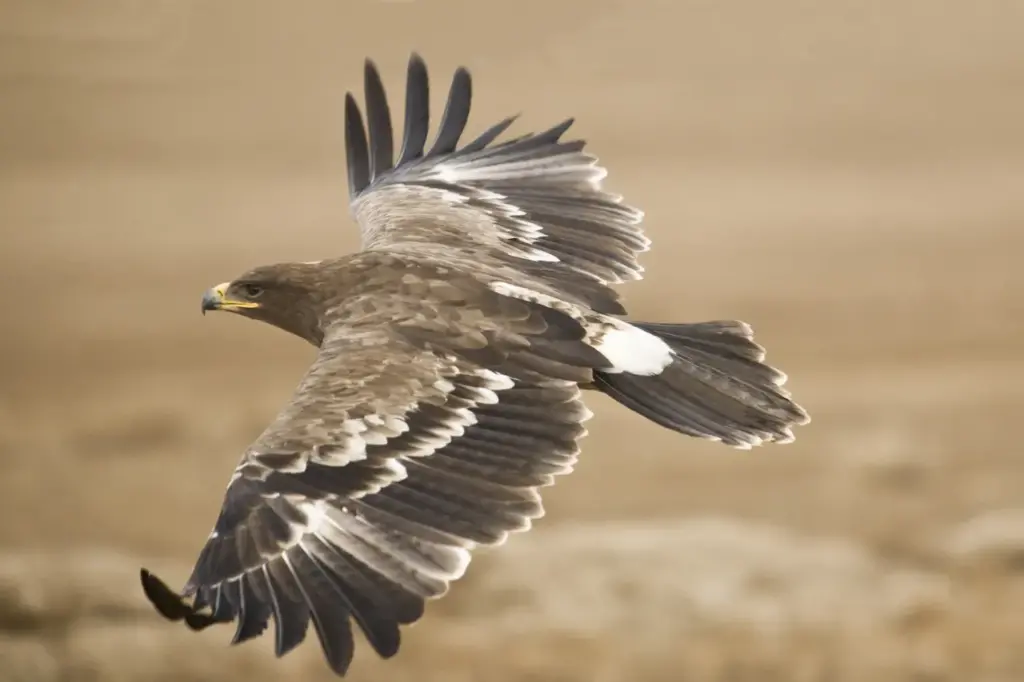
(537, 199)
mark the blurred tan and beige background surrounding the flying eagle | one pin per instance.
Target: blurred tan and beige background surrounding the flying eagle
(847, 177)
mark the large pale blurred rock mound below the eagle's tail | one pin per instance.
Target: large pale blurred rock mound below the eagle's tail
(650, 580)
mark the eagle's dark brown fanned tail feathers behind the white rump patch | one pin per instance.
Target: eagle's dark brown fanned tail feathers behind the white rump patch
(716, 386)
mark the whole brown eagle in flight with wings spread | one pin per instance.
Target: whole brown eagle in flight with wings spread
(454, 350)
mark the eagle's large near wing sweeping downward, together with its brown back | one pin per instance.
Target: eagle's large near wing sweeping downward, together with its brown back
(397, 455)
